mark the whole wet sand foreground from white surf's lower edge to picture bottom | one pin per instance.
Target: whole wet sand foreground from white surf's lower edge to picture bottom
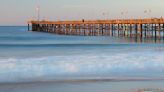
(87, 85)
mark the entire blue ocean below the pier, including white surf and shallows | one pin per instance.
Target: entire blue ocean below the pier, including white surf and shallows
(46, 62)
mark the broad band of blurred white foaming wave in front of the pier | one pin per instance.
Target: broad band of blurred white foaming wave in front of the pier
(134, 64)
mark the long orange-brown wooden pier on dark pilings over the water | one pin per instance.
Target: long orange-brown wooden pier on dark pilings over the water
(142, 28)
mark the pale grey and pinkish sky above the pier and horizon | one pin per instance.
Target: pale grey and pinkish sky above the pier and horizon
(18, 12)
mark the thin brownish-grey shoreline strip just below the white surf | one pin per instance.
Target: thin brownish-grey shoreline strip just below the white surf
(86, 80)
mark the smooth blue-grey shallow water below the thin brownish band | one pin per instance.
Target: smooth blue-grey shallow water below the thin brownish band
(131, 86)
